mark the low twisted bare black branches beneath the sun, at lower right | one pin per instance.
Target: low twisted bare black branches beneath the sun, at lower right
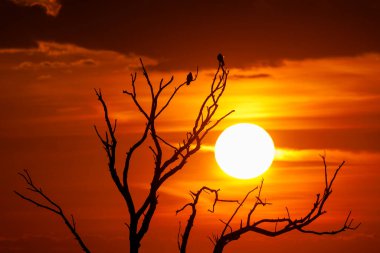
(279, 225)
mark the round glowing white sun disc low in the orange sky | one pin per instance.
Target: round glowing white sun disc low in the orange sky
(244, 150)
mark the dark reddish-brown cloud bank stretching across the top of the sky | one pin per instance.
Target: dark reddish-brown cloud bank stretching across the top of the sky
(183, 34)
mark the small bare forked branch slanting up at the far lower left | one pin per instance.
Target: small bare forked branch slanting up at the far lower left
(50, 205)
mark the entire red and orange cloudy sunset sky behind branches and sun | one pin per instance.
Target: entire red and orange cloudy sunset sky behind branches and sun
(307, 71)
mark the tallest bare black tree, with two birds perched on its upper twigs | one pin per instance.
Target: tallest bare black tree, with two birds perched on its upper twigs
(140, 217)
